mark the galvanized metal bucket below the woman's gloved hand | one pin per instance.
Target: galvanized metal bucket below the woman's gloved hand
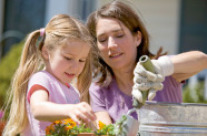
(169, 119)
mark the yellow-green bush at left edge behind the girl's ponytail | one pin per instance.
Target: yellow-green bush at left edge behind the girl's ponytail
(8, 66)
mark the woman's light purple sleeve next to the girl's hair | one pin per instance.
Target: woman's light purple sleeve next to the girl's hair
(97, 98)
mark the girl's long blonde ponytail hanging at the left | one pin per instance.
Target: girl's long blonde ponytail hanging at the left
(29, 64)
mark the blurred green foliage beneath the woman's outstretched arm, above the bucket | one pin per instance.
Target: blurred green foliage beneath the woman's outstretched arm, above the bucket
(194, 95)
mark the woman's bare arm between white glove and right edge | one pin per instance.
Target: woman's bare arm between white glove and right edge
(188, 64)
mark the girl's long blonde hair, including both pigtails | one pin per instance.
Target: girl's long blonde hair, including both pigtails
(59, 28)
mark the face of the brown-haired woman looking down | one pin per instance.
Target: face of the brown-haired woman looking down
(117, 45)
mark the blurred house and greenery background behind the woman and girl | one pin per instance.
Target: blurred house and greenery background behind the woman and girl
(176, 25)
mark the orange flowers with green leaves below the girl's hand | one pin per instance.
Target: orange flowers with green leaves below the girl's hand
(67, 127)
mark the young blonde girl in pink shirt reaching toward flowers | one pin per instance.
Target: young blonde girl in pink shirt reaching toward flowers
(41, 92)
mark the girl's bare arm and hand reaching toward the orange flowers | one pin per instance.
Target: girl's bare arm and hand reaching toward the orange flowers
(44, 110)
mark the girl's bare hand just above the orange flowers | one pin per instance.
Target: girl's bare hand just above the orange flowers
(82, 112)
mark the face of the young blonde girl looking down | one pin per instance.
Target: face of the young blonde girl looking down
(68, 61)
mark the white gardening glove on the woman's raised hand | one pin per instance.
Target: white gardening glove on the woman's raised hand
(145, 80)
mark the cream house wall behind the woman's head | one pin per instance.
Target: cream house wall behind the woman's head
(161, 18)
